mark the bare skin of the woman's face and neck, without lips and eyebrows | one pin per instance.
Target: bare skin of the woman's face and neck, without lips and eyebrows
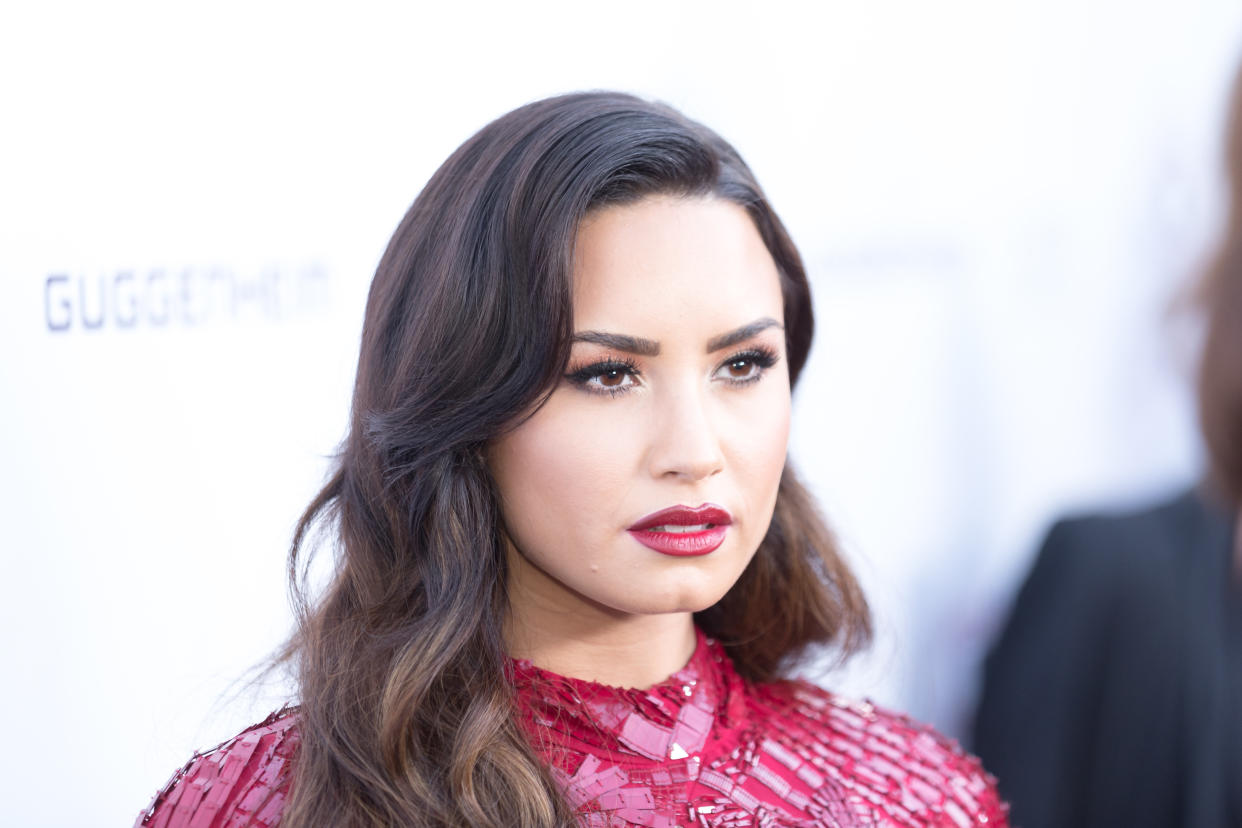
(686, 426)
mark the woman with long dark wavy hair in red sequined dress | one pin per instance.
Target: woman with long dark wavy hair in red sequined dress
(574, 562)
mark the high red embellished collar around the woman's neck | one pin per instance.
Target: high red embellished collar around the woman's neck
(666, 722)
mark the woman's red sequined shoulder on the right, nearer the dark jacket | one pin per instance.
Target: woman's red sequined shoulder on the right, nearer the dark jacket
(906, 772)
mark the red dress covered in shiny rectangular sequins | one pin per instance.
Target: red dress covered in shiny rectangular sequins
(704, 748)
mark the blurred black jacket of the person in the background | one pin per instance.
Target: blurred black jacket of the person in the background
(1115, 695)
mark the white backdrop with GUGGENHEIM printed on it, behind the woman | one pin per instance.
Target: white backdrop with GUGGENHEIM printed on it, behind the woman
(997, 203)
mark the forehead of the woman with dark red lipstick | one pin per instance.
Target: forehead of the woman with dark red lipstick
(670, 261)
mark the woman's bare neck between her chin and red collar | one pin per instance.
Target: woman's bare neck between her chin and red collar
(568, 635)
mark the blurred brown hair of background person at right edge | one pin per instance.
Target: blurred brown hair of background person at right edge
(1220, 373)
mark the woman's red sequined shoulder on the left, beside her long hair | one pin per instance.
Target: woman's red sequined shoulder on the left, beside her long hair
(240, 783)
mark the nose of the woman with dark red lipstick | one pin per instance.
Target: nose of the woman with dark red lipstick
(686, 444)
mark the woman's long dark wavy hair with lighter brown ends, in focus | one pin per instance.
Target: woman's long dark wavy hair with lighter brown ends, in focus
(406, 709)
